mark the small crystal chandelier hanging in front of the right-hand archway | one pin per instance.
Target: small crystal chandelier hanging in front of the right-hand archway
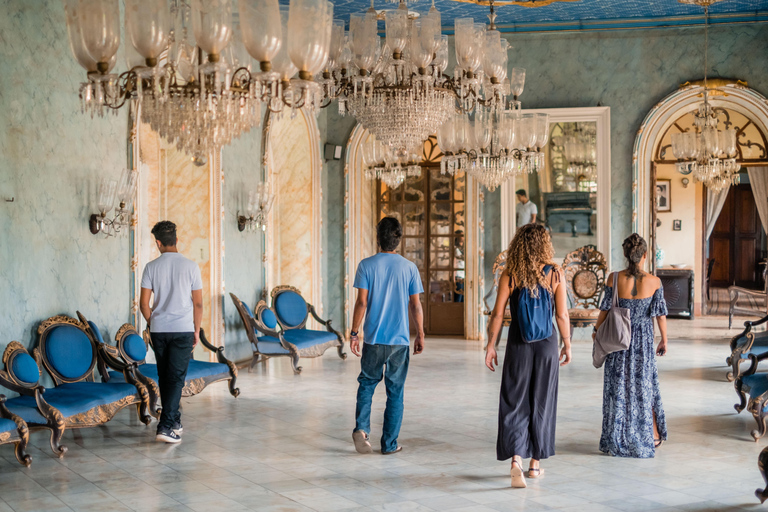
(708, 152)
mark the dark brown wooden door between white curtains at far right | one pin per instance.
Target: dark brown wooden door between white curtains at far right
(737, 240)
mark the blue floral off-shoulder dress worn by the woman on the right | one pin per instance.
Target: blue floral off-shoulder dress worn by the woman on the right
(631, 394)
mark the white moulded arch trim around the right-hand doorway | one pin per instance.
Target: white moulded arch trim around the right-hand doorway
(732, 96)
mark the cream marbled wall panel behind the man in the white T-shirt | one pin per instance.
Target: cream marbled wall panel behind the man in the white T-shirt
(173, 186)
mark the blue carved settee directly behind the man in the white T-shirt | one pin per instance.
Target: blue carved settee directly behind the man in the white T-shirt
(132, 349)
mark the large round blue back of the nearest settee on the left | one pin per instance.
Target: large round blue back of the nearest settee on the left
(66, 350)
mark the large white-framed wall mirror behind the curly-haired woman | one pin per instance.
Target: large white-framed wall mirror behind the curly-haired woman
(572, 191)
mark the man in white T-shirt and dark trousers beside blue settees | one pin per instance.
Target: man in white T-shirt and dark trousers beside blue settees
(173, 320)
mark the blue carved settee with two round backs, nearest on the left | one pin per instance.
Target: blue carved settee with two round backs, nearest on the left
(69, 355)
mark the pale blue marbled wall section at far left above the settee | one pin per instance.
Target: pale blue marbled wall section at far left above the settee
(51, 157)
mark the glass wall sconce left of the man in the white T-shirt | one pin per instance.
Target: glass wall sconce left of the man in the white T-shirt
(111, 189)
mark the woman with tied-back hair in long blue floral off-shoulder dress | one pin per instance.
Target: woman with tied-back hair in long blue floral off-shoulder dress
(633, 416)
